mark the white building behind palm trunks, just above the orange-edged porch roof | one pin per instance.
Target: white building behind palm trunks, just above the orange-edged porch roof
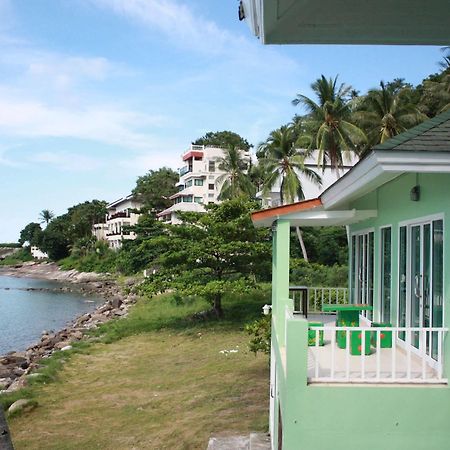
(310, 190)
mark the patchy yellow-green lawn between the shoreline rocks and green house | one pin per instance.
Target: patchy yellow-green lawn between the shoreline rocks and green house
(163, 385)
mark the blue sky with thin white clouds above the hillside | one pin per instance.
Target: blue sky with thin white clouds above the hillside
(94, 93)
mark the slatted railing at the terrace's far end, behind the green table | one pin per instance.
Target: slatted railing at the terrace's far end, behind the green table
(316, 297)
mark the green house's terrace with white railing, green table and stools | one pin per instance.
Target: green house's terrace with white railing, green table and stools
(345, 344)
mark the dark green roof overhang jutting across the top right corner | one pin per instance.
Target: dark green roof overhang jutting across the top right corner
(349, 22)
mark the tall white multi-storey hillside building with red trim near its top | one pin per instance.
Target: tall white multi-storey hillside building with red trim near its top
(198, 184)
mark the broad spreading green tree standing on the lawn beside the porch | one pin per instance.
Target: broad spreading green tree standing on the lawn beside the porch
(212, 254)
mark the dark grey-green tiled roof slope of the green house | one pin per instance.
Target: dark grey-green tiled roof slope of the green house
(432, 135)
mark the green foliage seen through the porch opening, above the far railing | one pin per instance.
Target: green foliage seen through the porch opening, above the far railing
(313, 274)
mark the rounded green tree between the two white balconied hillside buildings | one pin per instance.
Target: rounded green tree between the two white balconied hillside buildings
(154, 189)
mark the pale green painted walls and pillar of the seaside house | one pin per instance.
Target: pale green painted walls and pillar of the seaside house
(351, 417)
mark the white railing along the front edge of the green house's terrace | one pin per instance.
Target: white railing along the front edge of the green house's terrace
(408, 355)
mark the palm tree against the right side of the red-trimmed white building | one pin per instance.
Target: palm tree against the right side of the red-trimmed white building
(235, 182)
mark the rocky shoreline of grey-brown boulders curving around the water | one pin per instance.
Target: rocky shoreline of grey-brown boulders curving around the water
(17, 367)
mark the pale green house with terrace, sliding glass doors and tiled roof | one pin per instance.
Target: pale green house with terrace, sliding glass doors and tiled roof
(395, 394)
